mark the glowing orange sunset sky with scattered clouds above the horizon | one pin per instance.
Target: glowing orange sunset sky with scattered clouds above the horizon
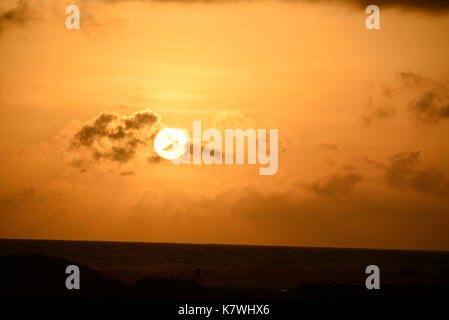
(363, 120)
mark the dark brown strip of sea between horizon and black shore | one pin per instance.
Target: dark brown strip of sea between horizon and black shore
(129, 256)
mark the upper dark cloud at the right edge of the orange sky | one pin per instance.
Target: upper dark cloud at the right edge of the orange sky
(430, 103)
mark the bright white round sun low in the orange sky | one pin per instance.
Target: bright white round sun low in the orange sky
(170, 143)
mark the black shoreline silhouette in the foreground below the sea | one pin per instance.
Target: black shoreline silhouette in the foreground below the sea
(35, 276)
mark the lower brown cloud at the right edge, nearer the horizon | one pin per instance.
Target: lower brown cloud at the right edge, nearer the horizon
(406, 171)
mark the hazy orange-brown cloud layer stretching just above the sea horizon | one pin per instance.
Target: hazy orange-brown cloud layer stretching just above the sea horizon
(247, 215)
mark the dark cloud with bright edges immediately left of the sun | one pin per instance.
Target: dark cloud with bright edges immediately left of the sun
(114, 137)
